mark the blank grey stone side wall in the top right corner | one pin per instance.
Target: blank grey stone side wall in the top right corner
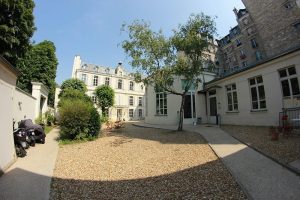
(276, 23)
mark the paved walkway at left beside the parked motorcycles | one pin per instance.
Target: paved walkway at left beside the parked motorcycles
(30, 177)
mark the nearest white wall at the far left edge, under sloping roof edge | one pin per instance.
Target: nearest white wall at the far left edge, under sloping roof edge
(7, 89)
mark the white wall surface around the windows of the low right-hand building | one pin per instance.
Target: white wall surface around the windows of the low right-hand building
(273, 93)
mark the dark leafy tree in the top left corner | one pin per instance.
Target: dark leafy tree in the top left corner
(16, 28)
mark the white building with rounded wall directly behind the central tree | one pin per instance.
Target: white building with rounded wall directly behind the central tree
(163, 108)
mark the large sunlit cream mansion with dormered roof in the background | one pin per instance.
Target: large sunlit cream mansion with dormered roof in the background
(129, 95)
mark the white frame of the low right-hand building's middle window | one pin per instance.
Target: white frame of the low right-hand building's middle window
(259, 100)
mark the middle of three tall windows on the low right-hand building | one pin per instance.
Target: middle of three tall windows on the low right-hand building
(257, 90)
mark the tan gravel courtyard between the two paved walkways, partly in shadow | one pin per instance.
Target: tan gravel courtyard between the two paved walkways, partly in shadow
(142, 163)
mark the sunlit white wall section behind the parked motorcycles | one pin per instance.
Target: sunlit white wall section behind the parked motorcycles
(23, 106)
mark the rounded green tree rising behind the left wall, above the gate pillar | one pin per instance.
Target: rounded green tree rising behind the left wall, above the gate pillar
(39, 64)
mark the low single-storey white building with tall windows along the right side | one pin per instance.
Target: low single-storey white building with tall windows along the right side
(257, 94)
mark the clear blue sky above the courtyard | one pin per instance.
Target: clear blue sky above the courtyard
(92, 28)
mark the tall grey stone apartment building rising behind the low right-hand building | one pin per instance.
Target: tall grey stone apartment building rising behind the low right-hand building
(265, 29)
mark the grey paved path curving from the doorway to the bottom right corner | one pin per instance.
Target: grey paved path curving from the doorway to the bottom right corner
(259, 176)
